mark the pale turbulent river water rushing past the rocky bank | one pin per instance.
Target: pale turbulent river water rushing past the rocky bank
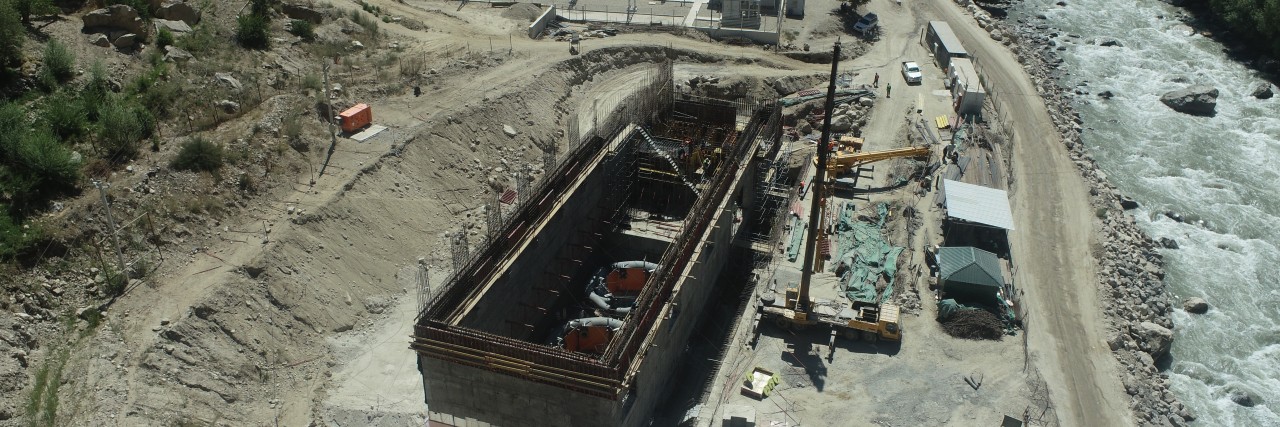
(1222, 171)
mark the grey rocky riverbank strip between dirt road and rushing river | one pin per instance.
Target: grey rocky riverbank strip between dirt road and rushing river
(1131, 278)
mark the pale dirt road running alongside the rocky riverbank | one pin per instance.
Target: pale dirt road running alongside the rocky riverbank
(1052, 245)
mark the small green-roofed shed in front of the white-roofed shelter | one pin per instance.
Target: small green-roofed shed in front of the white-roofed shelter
(970, 274)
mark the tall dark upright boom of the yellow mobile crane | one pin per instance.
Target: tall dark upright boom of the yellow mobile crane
(817, 190)
